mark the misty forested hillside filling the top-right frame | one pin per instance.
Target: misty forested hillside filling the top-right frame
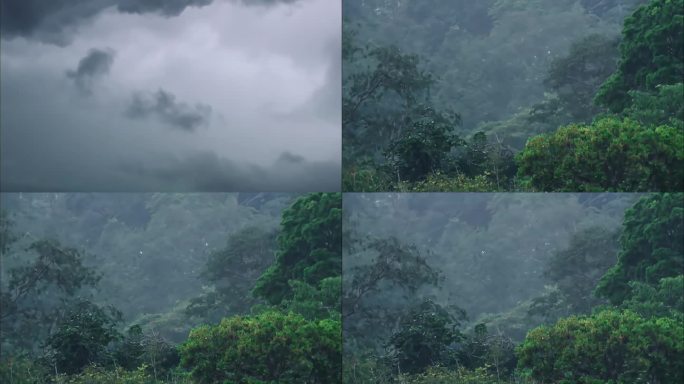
(508, 95)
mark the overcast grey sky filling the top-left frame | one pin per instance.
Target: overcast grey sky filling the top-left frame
(180, 95)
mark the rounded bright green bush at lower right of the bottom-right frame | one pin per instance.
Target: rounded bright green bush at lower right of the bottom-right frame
(611, 346)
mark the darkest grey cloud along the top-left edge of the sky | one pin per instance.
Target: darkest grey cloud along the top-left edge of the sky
(55, 21)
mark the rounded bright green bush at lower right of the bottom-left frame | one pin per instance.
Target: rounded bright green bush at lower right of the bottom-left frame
(269, 348)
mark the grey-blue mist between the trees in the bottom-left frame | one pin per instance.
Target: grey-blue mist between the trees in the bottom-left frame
(151, 248)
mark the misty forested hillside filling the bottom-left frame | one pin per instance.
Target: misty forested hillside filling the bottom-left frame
(156, 288)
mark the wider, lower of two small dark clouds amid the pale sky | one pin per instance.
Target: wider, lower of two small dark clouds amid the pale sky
(164, 106)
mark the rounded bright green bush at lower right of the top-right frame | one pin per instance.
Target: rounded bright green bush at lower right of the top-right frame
(608, 155)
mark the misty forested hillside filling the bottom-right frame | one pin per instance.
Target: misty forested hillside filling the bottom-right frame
(513, 288)
